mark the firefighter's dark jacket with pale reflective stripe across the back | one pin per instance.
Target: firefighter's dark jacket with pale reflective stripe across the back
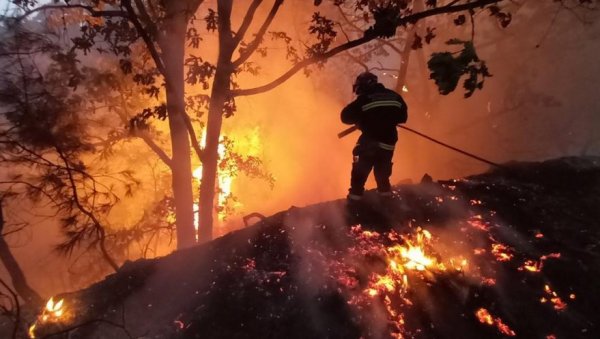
(376, 113)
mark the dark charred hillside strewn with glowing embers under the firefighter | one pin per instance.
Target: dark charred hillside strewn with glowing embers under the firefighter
(504, 254)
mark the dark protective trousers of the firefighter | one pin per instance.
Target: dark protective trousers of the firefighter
(369, 156)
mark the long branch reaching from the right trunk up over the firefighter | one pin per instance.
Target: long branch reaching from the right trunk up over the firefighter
(357, 42)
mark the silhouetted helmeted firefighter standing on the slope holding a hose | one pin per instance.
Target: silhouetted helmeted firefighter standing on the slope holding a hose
(376, 111)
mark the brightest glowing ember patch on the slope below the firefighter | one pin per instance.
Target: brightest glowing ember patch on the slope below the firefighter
(397, 263)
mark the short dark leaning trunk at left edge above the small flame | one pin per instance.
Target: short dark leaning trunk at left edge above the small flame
(14, 270)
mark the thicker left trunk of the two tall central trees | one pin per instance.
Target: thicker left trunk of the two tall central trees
(173, 48)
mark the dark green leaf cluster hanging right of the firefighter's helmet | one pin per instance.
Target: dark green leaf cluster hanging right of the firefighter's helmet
(447, 69)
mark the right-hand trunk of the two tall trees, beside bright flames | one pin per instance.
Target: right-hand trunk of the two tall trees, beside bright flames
(219, 96)
